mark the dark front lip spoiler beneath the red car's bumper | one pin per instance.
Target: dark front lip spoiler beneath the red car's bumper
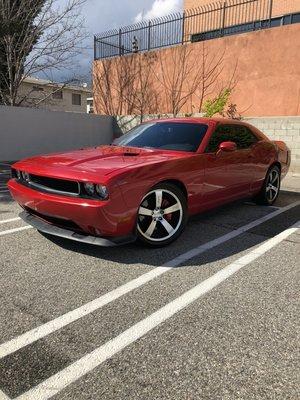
(45, 227)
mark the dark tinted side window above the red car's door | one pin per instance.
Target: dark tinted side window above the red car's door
(239, 134)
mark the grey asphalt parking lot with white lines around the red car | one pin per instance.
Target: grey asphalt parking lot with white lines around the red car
(213, 316)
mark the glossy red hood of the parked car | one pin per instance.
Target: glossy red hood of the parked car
(102, 161)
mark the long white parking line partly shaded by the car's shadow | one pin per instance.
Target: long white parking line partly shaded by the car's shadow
(65, 319)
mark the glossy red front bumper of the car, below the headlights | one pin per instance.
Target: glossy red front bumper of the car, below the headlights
(92, 217)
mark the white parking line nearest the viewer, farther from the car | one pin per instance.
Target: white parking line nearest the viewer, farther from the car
(78, 369)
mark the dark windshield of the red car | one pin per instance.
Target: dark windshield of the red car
(165, 135)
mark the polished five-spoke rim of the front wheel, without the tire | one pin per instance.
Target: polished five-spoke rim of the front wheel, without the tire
(160, 215)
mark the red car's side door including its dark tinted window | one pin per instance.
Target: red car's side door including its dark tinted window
(228, 175)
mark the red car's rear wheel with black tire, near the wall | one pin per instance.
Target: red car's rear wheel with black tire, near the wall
(268, 196)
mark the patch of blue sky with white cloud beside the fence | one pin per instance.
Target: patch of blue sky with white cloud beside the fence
(102, 15)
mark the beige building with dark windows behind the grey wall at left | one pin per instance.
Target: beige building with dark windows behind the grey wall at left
(54, 96)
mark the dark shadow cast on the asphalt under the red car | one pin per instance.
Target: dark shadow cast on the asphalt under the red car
(201, 229)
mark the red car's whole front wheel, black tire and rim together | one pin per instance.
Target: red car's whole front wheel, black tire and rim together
(161, 222)
